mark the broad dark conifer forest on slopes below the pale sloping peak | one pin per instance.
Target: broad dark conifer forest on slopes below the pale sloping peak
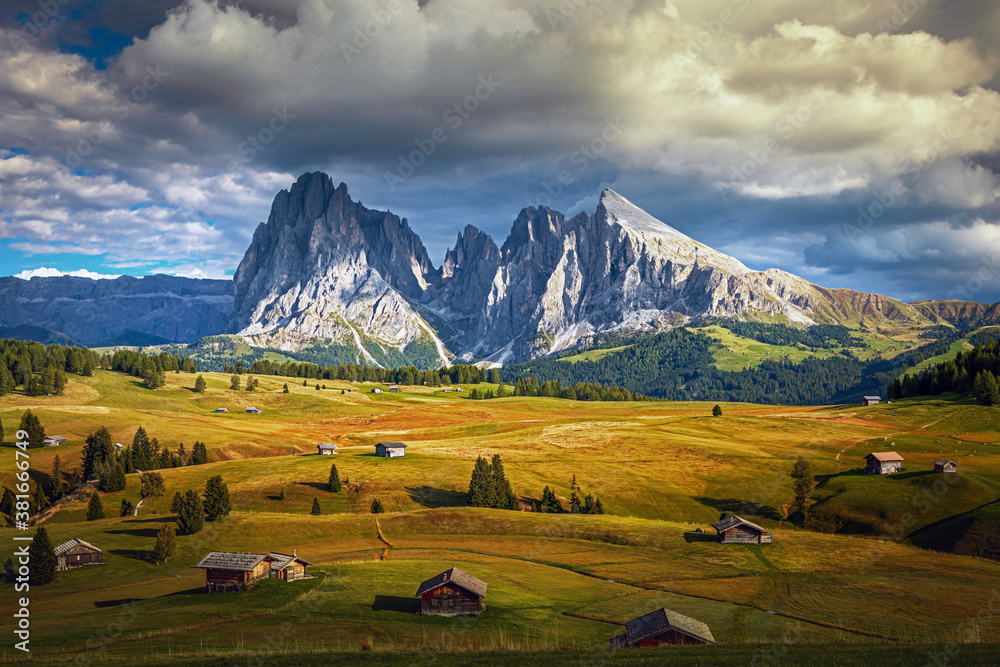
(679, 365)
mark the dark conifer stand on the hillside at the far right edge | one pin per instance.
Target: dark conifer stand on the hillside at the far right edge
(972, 372)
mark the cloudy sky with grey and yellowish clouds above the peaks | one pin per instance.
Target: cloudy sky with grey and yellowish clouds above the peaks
(854, 143)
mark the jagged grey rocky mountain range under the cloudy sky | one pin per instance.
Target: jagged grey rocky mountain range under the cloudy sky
(326, 273)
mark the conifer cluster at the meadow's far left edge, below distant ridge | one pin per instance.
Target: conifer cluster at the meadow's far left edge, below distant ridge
(39, 369)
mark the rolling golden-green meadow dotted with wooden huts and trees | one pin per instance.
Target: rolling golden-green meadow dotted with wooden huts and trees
(557, 582)
